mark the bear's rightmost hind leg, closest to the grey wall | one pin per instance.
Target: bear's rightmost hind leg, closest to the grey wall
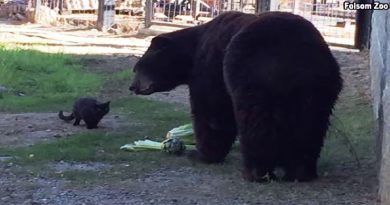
(309, 131)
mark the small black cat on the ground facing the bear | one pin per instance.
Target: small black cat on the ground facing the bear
(88, 109)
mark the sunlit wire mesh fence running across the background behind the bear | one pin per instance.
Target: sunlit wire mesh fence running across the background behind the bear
(336, 24)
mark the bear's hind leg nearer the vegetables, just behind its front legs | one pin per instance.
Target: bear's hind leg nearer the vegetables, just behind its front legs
(258, 140)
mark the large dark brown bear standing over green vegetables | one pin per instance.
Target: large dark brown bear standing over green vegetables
(269, 79)
